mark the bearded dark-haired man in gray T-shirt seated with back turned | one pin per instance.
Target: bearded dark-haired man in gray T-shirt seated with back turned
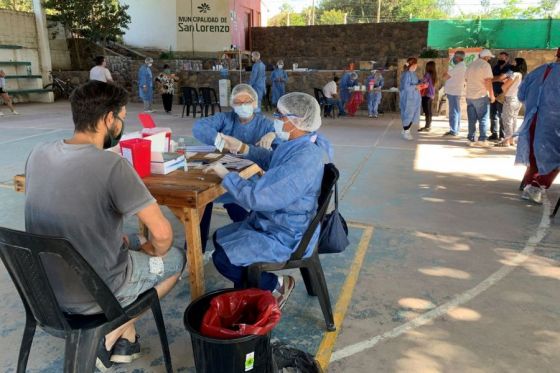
(76, 190)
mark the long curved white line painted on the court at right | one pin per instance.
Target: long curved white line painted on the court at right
(467, 296)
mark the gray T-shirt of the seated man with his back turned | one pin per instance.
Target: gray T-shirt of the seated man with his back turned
(82, 193)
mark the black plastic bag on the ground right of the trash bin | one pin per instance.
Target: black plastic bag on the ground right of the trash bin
(289, 359)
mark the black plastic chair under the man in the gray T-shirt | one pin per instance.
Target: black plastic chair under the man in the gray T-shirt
(24, 255)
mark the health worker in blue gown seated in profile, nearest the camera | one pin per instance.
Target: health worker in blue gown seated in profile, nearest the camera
(282, 202)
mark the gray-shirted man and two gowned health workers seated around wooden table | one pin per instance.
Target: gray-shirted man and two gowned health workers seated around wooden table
(76, 181)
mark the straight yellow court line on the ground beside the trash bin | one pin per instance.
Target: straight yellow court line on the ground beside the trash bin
(326, 347)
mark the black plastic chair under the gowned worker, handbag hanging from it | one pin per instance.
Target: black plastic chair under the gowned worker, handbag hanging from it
(310, 268)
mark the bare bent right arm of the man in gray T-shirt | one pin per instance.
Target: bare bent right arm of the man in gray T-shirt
(161, 233)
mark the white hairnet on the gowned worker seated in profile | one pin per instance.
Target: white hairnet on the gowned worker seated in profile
(304, 107)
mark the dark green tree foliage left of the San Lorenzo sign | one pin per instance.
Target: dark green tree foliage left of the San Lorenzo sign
(97, 20)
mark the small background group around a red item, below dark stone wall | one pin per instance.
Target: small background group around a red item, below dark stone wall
(338, 93)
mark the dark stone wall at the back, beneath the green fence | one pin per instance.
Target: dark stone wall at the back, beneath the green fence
(335, 46)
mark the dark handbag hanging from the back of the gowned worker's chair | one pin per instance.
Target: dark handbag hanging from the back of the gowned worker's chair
(334, 231)
